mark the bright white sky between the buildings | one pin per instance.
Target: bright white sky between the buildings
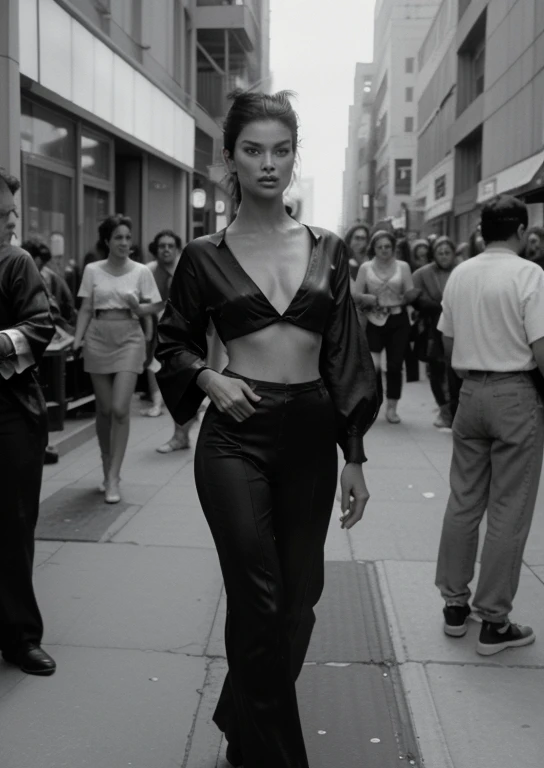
(314, 47)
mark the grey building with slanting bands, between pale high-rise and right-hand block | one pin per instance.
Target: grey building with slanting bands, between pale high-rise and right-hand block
(435, 95)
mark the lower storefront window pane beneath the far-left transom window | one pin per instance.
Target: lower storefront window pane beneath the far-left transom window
(49, 213)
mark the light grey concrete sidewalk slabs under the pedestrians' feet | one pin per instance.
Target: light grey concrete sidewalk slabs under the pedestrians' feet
(135, 621)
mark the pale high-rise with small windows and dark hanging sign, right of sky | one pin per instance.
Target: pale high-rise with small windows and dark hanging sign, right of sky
(399, 29)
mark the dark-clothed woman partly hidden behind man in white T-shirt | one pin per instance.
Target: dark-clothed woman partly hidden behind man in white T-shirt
(431, 281)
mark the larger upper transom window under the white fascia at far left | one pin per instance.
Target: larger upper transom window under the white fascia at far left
(46, 134)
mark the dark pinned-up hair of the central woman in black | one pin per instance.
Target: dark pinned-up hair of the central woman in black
(249, 107)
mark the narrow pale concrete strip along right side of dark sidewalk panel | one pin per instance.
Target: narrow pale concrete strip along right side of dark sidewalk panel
(418, 695)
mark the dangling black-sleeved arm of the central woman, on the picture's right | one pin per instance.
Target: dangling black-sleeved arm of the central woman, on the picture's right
(349, 375)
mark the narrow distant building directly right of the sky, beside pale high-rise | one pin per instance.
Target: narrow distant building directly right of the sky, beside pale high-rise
(357, 178)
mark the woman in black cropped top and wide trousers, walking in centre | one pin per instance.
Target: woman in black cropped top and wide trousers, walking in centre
(300, 378)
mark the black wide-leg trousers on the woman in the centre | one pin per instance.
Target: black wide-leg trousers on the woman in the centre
(267, 488)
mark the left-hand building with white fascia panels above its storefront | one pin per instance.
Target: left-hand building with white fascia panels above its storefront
(116, 105)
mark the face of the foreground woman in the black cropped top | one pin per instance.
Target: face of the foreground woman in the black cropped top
(264, 158)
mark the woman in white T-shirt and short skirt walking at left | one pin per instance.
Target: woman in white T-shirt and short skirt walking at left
(114, 349)
